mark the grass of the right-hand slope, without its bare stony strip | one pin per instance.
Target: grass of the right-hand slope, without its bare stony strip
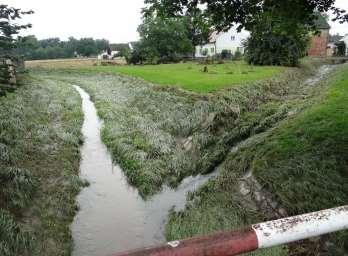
(303, 162)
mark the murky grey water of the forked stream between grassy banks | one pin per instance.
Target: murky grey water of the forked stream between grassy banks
(112, 216)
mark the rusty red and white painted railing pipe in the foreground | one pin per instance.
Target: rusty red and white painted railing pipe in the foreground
(263, 235)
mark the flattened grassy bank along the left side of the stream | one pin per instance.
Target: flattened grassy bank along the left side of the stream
(39, 160)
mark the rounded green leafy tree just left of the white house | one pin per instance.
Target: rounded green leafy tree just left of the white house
(163, 40)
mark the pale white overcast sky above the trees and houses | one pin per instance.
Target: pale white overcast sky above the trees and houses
(115, 20)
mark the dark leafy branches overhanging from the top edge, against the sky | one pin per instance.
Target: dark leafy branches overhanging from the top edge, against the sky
(245, 13)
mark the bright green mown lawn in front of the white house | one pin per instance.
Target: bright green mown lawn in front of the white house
(189, 76)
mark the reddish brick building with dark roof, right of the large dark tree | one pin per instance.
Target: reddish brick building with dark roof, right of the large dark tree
(319, 42)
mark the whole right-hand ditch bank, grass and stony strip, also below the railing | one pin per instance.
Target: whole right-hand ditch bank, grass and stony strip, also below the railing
(298, 166)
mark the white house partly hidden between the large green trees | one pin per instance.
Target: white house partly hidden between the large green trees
(232, 40)
